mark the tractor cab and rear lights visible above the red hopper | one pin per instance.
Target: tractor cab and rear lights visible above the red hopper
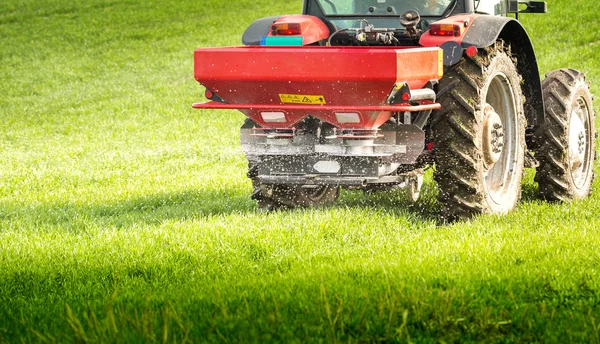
(387, 22)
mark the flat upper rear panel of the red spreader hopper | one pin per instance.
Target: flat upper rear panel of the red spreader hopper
(297, 64)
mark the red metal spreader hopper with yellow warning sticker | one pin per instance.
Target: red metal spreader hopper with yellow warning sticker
(342, 77)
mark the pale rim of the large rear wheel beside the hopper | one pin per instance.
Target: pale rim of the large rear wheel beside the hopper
(500, 146)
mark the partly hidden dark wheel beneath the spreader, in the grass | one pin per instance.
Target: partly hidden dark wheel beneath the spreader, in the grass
(291, 196)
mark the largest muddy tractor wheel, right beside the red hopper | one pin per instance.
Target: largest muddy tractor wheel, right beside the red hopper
(479, 135)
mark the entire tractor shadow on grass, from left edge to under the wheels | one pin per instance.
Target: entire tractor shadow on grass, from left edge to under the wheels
(195, 204)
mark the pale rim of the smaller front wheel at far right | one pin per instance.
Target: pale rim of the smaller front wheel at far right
(580, 148)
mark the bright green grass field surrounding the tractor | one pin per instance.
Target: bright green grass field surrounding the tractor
(125, 215)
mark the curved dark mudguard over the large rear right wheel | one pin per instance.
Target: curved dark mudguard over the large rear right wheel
(485, 31)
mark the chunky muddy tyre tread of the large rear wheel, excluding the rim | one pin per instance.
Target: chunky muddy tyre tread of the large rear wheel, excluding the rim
(456, 128)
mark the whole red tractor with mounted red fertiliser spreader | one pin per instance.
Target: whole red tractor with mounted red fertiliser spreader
(366, 94)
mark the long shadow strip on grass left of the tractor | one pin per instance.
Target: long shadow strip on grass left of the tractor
(149, 210)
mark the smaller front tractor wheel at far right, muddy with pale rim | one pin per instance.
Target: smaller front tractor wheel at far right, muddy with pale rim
(567, 146)
